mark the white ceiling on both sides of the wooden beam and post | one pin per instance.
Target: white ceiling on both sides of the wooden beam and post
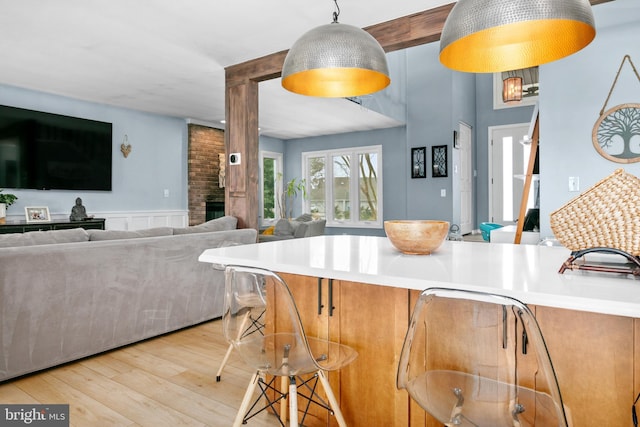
(168, 57)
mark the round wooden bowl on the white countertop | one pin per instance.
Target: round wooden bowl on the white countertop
(416, 237)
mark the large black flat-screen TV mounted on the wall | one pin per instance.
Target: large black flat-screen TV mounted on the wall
(49, 151)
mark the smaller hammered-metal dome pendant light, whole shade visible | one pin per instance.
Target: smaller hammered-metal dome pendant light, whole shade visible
(335, 61)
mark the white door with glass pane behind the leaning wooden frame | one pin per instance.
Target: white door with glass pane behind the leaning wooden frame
(508, 160)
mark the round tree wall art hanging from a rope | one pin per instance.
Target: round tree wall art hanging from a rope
(616, 134)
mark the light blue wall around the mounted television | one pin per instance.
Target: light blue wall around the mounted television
(158, 159)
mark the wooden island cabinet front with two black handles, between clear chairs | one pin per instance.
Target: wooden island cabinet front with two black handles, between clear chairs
(373, 321)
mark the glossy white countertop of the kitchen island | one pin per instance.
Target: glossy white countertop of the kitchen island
(525, 272)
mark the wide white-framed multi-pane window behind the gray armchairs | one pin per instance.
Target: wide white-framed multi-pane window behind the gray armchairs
(345, 186)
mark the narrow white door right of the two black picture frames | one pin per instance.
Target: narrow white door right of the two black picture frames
(466, 179)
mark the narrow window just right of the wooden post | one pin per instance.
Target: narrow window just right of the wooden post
(270, 186)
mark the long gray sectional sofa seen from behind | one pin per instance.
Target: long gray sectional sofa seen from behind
(69, 294)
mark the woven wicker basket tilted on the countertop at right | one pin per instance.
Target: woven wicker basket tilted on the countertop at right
(607, 215)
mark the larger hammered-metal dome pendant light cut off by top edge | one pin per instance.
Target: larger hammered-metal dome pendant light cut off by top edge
(489, 36)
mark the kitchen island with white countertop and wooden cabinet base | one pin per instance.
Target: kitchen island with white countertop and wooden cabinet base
(590, 320)
